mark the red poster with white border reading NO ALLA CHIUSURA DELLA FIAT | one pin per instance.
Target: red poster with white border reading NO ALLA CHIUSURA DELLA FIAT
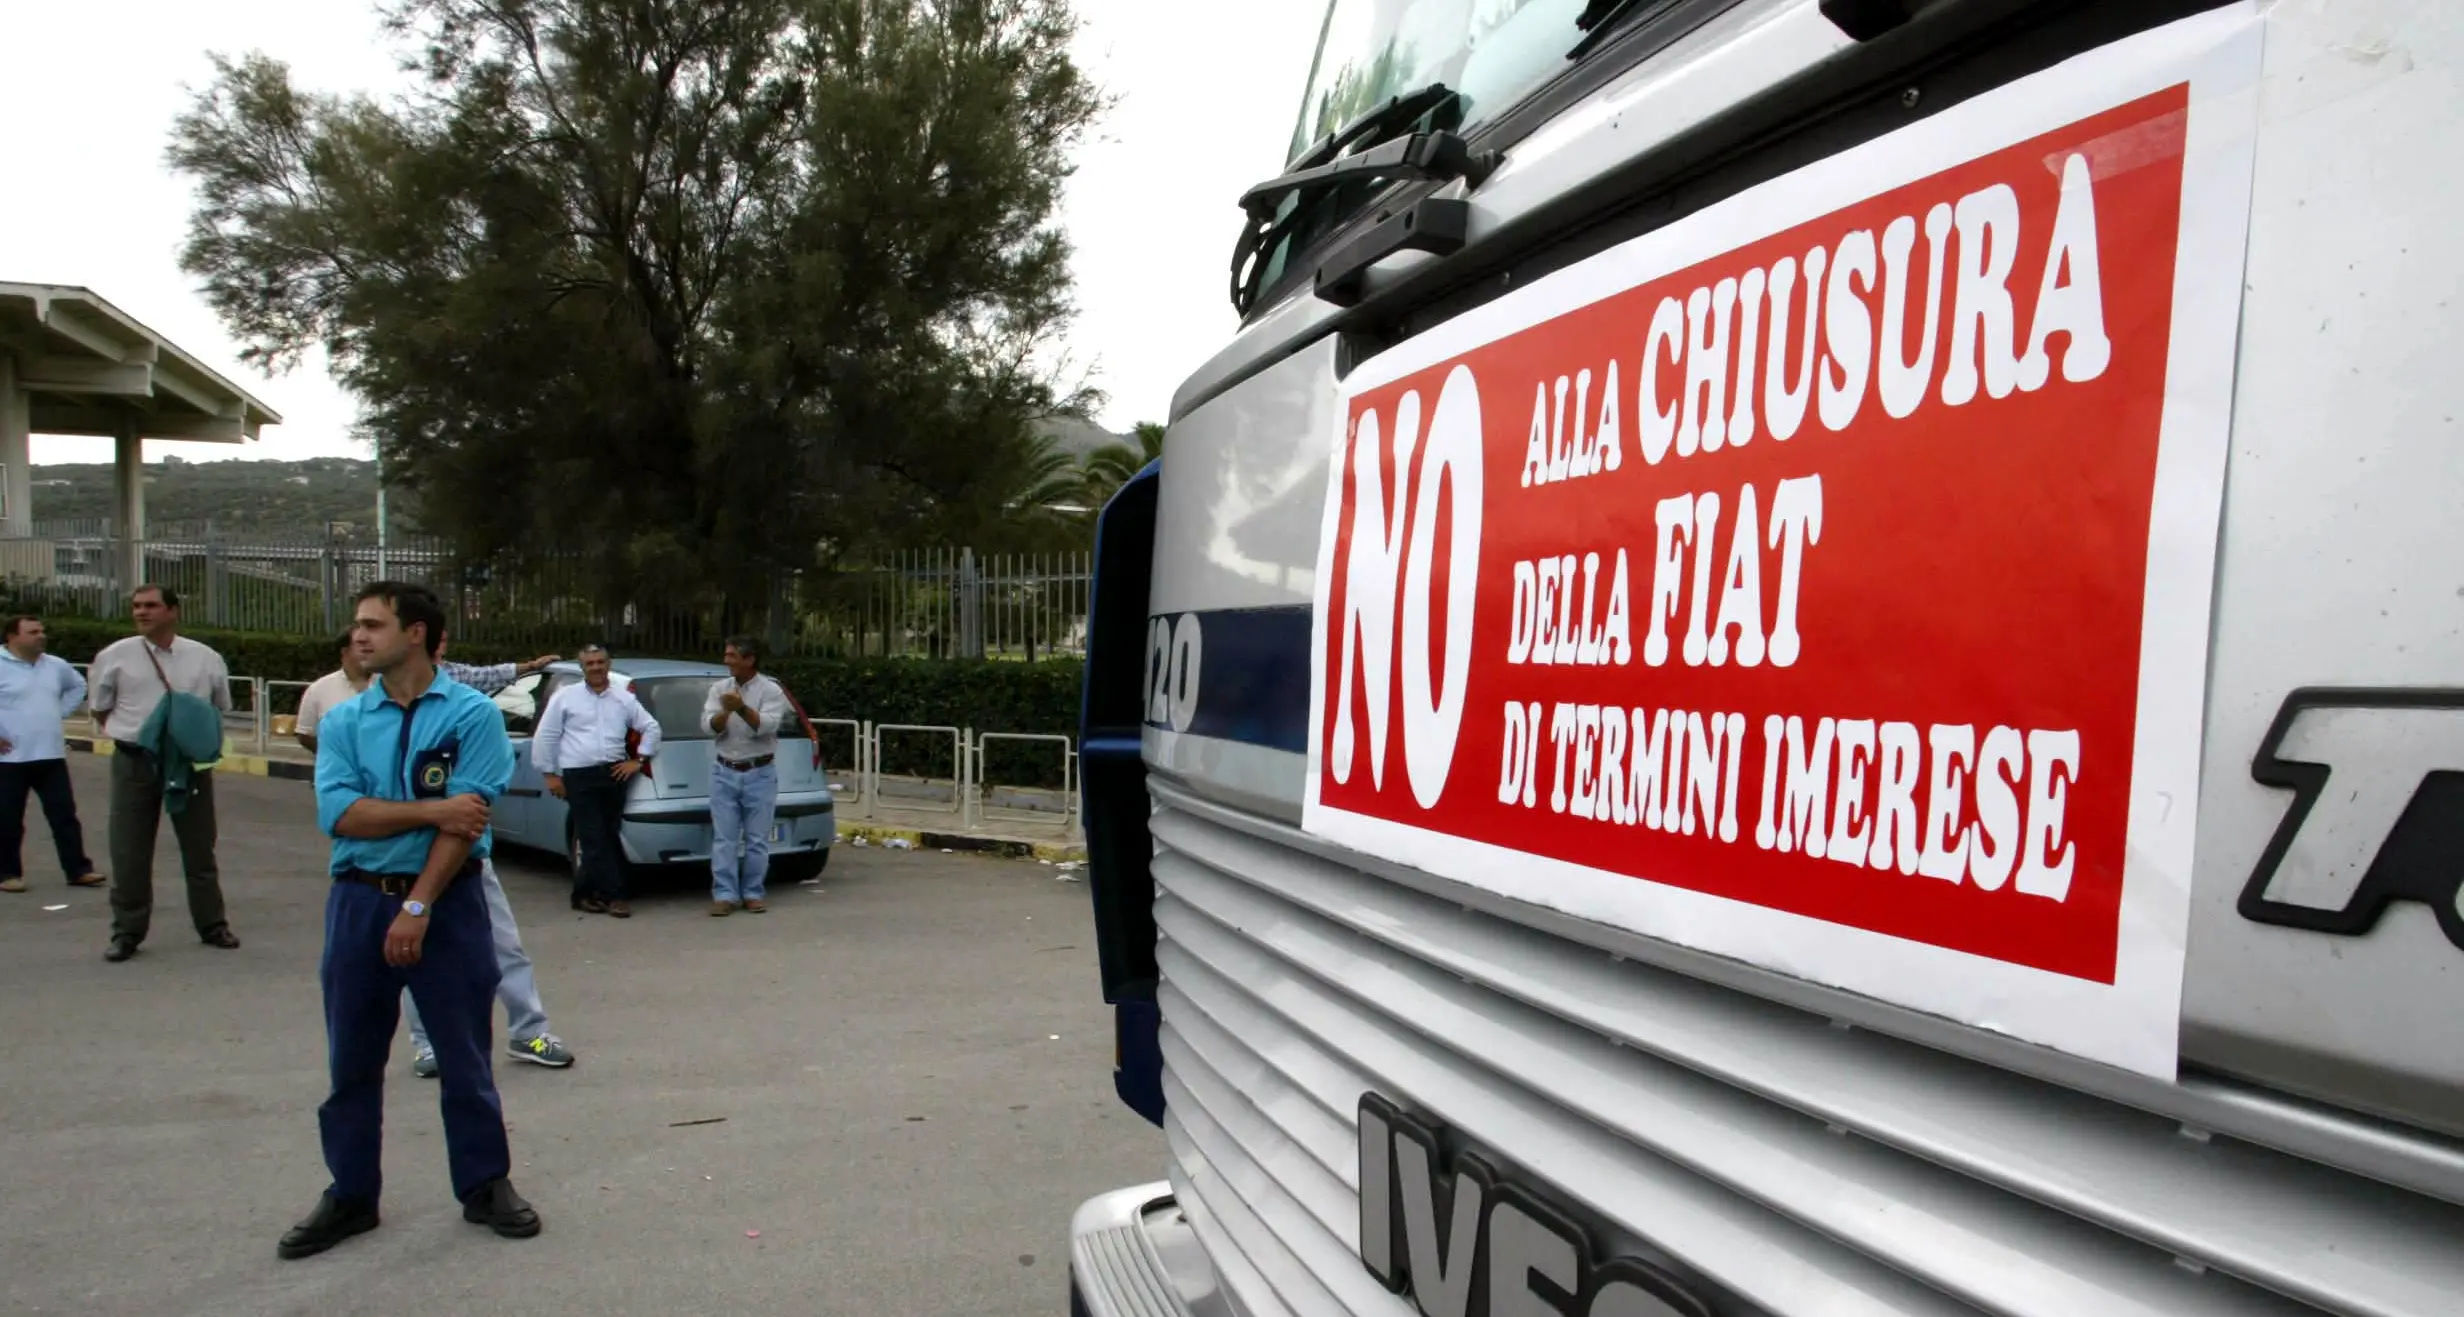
(1822, 581)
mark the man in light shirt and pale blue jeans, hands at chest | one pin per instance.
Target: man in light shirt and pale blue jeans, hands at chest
(745, 712)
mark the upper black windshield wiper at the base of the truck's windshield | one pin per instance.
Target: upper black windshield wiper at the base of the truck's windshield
(1379, 152)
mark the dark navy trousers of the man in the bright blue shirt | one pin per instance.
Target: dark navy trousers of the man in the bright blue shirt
(455, 985)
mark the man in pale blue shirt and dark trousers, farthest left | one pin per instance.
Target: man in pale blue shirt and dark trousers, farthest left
(36, 694)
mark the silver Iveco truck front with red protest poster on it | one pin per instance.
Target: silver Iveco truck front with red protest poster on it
(1805, 657)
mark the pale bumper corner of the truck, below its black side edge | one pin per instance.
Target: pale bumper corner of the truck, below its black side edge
(1132, 1254)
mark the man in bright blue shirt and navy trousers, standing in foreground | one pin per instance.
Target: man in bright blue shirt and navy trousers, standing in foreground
(405, 778)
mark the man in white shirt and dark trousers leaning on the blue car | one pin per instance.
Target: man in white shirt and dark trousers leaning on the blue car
(583, 753)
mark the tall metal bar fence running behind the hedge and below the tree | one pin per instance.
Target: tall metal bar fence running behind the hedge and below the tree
(923, 603)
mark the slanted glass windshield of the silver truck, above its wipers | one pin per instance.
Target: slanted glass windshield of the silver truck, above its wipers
(1489, 51)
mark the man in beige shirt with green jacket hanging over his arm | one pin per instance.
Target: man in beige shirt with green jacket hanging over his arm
(127, 682)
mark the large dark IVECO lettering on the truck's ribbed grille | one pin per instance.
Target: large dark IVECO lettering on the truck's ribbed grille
(1462, 1242)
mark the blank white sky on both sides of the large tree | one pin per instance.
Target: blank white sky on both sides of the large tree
(87, 92)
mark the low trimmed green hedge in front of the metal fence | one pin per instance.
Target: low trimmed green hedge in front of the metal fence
(989, 697)
